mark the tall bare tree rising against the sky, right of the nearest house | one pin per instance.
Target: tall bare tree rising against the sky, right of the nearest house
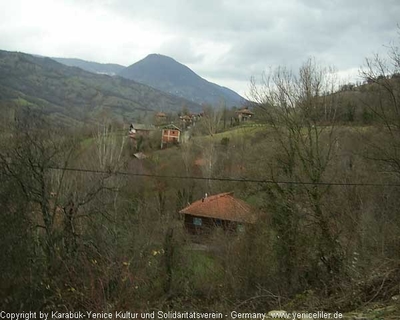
(303, 120)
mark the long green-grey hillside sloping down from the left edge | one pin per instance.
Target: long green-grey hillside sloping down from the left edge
(69, 93)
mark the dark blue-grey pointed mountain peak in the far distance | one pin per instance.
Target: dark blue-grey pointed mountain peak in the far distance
(166, 74)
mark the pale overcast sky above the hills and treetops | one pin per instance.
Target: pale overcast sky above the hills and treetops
(225, 42)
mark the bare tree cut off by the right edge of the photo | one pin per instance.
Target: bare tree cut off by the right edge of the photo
(382, 145)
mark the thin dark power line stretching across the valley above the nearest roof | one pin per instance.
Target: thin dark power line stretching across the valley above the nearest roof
(262, 181)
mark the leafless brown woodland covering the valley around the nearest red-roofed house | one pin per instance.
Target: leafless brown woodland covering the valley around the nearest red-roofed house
(86, 226)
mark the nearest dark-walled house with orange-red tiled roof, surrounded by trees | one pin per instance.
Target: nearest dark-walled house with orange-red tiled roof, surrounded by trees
(221, 210)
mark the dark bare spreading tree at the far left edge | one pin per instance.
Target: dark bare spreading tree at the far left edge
(28, 158)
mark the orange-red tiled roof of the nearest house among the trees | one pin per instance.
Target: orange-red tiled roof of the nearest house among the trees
(221, 206)
